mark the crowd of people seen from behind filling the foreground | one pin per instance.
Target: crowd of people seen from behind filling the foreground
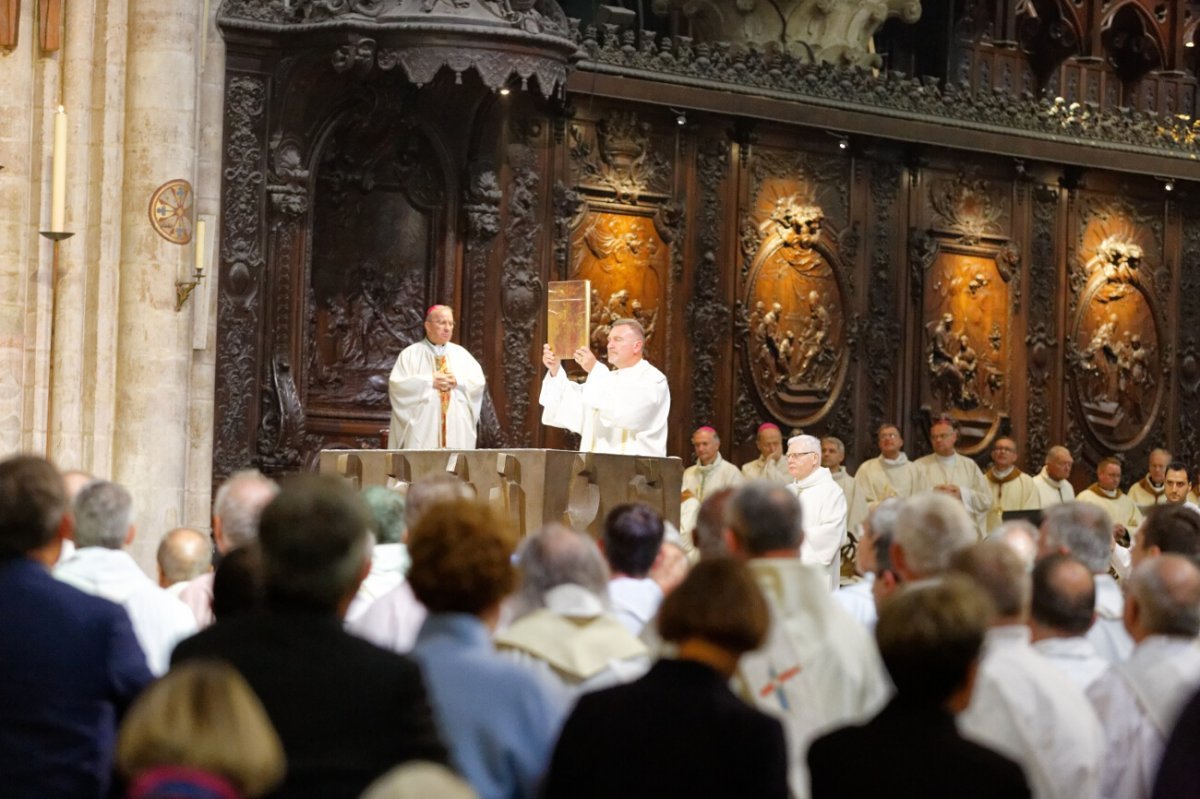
(367, 633)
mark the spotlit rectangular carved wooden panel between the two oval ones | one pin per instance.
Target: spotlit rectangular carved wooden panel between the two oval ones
(965, 275)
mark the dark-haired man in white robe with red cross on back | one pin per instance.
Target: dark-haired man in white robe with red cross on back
(820, 670)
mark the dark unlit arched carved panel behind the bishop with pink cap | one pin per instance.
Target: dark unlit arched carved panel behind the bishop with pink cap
(376, 207)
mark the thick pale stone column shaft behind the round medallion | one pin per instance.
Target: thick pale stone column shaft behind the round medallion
(152, 431)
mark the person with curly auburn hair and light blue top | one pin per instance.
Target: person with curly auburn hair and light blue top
(500, 718)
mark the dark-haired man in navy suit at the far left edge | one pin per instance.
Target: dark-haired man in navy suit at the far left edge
(70, 664)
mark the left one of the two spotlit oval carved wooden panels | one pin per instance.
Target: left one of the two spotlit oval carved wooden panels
(795, 290)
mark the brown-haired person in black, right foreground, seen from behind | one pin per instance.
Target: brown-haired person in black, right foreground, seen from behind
(929, 636)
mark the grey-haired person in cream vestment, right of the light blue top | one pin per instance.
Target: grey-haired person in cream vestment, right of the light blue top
(562, 626)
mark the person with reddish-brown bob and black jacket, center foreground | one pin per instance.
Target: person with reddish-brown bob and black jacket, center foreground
(680, 731)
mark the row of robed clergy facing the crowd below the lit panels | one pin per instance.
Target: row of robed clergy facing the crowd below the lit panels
(811, 466)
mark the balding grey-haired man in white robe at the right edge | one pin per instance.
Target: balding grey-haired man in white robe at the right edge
(1139, 701)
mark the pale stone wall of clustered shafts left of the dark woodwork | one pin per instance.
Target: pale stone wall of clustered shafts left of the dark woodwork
(98, 369)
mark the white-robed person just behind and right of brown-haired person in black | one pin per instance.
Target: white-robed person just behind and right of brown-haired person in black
(1023, 706)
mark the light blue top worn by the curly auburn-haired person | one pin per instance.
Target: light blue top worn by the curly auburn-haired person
(499, 718)
